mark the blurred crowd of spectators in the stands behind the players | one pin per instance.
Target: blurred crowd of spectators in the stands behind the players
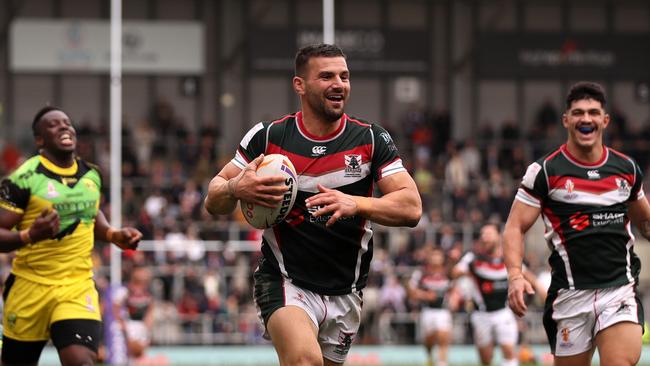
(208, 293)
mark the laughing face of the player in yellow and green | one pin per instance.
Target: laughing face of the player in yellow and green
(55, 133)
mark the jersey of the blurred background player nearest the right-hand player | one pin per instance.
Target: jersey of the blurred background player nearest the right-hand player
(490, 277)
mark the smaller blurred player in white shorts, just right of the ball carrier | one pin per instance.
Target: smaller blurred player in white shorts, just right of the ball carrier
(430, 287)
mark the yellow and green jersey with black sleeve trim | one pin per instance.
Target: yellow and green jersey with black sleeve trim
(75, 193)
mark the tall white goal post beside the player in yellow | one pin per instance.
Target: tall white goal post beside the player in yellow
(116, 134)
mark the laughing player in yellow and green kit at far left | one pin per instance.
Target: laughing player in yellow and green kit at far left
(49, 214)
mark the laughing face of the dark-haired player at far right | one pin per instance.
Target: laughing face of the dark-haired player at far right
(585, 121)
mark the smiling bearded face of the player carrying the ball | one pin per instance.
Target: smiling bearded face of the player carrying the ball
(325, 87)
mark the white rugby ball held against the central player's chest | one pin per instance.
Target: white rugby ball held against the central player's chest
(264, 217)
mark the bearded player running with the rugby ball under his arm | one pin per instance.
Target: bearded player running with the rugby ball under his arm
(315, 263)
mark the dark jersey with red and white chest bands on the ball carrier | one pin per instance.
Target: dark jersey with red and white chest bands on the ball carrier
(333, 260)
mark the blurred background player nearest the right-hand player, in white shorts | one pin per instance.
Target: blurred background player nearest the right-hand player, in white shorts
(492, 321)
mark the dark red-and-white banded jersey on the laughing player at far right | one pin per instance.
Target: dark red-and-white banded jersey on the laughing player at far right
(584, 208)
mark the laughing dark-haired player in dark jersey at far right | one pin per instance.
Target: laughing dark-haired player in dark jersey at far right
(587, 194)
